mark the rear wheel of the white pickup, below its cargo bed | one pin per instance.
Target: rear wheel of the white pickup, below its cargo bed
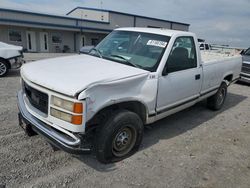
(216, 101)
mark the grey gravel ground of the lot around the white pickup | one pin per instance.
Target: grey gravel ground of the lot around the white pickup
(193, 148)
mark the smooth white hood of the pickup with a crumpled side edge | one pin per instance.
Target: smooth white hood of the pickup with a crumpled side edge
(72, 74)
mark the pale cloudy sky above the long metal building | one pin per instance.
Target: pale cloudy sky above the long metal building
(217, 21)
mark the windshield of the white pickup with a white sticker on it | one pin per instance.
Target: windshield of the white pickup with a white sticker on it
(138, 49)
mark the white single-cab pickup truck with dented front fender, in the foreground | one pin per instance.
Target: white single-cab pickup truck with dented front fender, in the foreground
(101, 101)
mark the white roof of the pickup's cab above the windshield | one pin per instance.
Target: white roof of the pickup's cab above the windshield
(161, 31)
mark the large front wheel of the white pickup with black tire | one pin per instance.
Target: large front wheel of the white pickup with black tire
(111, 135)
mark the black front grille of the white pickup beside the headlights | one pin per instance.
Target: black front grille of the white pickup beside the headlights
(37, 99)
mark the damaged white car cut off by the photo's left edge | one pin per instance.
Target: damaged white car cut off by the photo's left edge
(11, 57)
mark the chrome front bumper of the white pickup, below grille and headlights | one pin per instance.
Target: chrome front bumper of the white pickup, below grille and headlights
(28, 122)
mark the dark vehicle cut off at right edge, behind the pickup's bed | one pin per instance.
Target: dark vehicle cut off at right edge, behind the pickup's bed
(245, 71)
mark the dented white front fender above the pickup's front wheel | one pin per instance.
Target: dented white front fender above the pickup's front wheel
(140, 88)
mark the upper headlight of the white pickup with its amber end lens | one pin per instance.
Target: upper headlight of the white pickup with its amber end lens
(67, 105)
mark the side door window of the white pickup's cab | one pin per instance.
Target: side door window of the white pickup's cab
(182, 55)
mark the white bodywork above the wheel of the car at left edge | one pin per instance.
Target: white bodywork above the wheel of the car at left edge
(8, 51)
